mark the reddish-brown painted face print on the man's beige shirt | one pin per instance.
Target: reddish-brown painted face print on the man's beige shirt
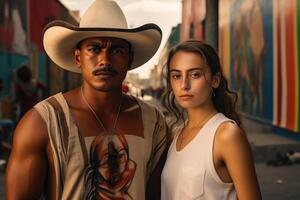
(110, 170)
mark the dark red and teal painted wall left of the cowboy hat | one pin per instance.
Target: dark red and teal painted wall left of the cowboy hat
(21, 26)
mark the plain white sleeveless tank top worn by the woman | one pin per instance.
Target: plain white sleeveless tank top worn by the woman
(190, 173)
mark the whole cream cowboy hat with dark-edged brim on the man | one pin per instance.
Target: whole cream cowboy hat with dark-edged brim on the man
(104, 18)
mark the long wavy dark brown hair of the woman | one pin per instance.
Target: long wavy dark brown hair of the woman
(224, 100)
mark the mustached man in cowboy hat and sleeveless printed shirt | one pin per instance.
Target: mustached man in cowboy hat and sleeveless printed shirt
(93, 142)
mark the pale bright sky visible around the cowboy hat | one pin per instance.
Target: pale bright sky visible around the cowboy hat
(164, 13)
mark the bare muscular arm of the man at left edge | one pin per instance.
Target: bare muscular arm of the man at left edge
(27, 166)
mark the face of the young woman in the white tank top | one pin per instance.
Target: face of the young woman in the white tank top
(190, 79)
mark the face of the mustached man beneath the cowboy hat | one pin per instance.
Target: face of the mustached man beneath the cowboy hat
(104, 62)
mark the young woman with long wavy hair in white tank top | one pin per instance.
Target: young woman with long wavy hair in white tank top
(210, 157)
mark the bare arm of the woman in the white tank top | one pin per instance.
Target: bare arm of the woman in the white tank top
(236, 154)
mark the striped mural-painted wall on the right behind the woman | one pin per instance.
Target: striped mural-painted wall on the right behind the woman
(258, 45)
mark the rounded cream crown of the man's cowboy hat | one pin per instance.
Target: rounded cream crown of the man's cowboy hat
(103, 14)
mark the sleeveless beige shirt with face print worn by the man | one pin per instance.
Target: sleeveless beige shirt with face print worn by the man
(82, 164)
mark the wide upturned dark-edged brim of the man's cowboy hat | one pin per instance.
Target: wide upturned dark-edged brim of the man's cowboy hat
(61, 38)
